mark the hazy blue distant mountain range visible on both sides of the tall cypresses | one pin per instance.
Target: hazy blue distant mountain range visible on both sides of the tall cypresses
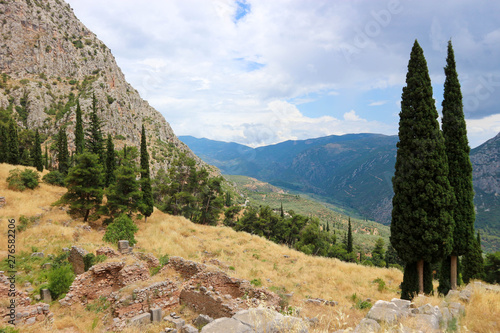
(353, 171)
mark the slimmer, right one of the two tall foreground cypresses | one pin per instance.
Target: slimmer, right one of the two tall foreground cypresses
(460, 166)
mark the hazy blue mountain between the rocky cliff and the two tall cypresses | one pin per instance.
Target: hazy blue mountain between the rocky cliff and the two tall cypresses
(352, 170)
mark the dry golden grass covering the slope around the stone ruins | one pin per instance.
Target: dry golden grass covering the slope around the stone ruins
(252, 258)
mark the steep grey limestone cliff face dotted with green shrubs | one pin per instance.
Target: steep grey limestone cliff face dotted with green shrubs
(48, 59)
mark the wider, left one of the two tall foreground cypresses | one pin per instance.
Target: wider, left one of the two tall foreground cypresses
(422, 225)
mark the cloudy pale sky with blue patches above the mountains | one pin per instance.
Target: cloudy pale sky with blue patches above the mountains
(259, 72)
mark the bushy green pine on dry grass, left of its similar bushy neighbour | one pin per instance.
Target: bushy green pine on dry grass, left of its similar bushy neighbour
(84, 183)
